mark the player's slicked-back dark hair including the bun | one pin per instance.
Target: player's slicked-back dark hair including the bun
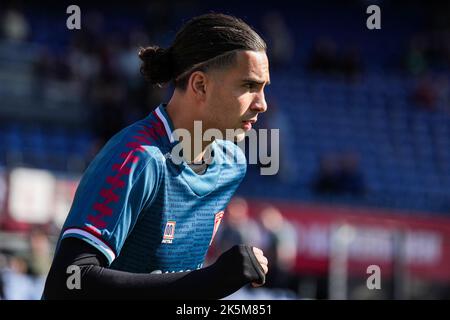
(205, 42)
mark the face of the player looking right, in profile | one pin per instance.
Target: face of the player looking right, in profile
(237, 93)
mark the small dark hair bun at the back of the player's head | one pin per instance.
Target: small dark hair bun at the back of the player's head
(156, 64)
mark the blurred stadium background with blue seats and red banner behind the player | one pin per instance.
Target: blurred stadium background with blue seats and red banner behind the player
(364, 118)
